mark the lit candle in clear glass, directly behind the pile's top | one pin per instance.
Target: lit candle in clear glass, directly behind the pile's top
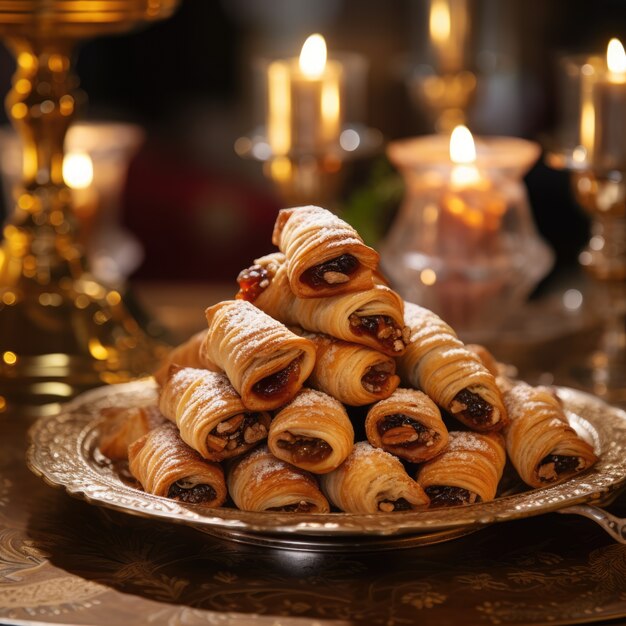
(304, 113)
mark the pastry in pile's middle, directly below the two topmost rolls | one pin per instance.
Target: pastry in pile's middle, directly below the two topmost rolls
(351, 373)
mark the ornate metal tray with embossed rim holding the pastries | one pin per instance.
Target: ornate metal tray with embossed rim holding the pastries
(63, 450)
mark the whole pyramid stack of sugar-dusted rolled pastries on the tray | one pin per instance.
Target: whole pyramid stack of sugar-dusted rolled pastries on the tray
(260, 409)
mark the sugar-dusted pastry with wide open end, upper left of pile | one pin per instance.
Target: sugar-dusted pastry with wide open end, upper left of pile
(265, 362)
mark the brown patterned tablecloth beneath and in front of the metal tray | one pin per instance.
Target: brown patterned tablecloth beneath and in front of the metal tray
(63, 561)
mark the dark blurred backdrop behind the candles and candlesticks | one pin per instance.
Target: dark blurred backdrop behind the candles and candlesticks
(199, 212)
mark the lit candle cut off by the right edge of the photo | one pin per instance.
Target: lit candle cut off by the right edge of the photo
(609, 101)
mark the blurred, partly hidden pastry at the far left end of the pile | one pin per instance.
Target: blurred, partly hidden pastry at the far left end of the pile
(122, 426)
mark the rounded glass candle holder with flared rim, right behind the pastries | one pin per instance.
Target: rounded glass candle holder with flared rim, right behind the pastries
(464, 243)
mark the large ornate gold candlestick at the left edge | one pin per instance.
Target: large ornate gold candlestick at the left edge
(60, 330)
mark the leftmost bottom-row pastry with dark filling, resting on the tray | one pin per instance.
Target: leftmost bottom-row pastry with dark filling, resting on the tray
(166, 466)
